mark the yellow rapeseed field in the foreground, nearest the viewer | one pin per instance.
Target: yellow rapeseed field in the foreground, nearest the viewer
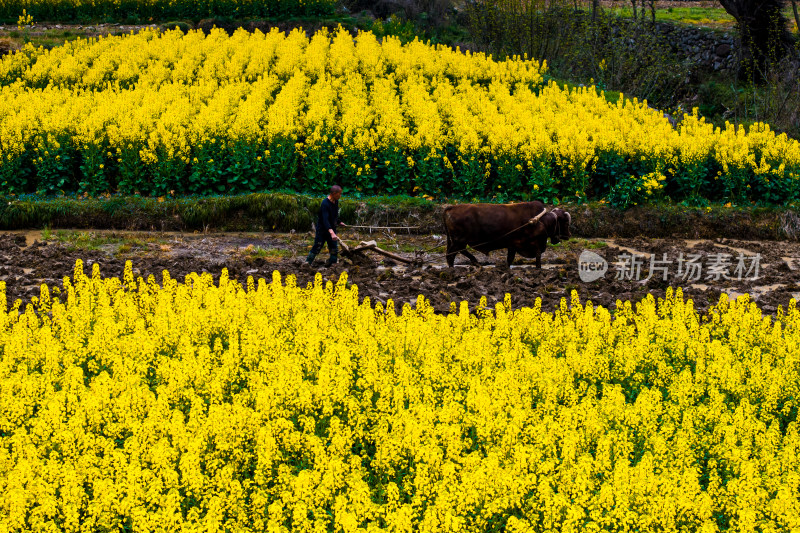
(272, 407)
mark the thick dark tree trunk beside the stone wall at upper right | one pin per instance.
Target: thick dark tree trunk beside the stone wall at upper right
(763, 32)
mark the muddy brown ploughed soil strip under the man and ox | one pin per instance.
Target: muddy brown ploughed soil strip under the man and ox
(29, 259)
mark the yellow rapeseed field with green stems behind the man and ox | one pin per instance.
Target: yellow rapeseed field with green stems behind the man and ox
(157, 112)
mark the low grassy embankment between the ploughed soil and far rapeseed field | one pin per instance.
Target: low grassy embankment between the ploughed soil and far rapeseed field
(286, 212)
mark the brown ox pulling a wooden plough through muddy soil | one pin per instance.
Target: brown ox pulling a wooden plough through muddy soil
(521, 228)
